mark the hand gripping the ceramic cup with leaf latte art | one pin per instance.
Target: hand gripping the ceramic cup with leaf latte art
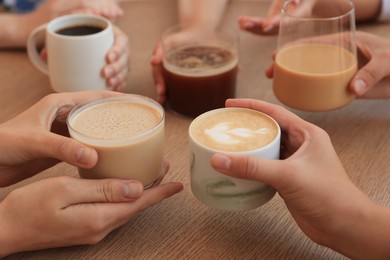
(310, 178)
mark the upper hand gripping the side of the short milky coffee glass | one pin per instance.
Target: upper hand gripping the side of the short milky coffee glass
(37, 138)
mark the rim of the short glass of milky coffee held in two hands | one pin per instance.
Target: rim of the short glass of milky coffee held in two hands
(116, 141)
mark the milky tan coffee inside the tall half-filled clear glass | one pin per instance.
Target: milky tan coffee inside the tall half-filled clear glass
(319, 81)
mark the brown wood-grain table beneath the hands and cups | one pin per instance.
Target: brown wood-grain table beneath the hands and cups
(181, 227)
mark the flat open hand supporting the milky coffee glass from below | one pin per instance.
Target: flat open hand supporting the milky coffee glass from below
(67, 211)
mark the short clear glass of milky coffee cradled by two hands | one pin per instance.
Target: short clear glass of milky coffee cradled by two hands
(128, 134)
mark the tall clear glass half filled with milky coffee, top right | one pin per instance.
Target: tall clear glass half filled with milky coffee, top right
(316, 57)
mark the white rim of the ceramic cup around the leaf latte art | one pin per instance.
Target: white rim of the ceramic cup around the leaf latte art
(272, 143)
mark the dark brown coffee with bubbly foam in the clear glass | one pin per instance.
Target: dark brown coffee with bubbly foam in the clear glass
(200, 77)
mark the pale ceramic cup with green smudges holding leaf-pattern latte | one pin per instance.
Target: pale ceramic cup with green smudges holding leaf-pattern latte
(237, 131)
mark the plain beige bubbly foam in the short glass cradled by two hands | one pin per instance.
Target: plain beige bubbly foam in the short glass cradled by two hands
(115, 120)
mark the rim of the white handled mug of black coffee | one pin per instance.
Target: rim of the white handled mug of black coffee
(53, 26)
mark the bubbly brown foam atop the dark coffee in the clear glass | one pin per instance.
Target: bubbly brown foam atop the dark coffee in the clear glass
(210, 60)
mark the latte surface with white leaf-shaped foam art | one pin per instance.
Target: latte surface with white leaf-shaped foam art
(234, 130)
